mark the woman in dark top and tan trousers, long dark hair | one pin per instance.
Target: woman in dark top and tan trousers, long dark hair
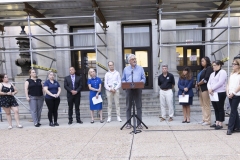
(202, 80)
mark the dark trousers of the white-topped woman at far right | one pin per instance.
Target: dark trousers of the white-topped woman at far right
(234, 117)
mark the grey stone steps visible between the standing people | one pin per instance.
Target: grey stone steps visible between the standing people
(150, 104)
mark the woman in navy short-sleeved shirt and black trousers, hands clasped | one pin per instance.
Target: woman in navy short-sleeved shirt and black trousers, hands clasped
(52, 99)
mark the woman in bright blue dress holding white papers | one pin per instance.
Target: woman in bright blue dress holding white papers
(94, 85)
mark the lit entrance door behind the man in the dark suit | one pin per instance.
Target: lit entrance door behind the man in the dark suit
(82, 61)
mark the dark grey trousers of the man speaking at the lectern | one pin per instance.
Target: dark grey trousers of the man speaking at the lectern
(134, 95)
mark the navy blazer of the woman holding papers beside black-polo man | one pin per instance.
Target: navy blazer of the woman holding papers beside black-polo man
(185, 83)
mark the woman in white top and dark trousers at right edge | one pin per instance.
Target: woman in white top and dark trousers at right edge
(233, 93)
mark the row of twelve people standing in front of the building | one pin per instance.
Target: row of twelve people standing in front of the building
(211, 80)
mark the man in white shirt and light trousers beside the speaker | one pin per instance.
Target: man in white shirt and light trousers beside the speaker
(112, 83)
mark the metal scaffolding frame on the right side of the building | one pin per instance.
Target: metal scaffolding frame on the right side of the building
(213, 41)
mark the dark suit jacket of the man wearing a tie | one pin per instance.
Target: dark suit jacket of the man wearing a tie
(68, 85)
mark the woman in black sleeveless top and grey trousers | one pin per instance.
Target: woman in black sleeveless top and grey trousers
(34, 95)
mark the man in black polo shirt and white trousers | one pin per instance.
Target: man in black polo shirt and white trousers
(166, 82)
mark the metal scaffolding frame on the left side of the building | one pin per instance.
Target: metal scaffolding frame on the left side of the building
(53, 47)
